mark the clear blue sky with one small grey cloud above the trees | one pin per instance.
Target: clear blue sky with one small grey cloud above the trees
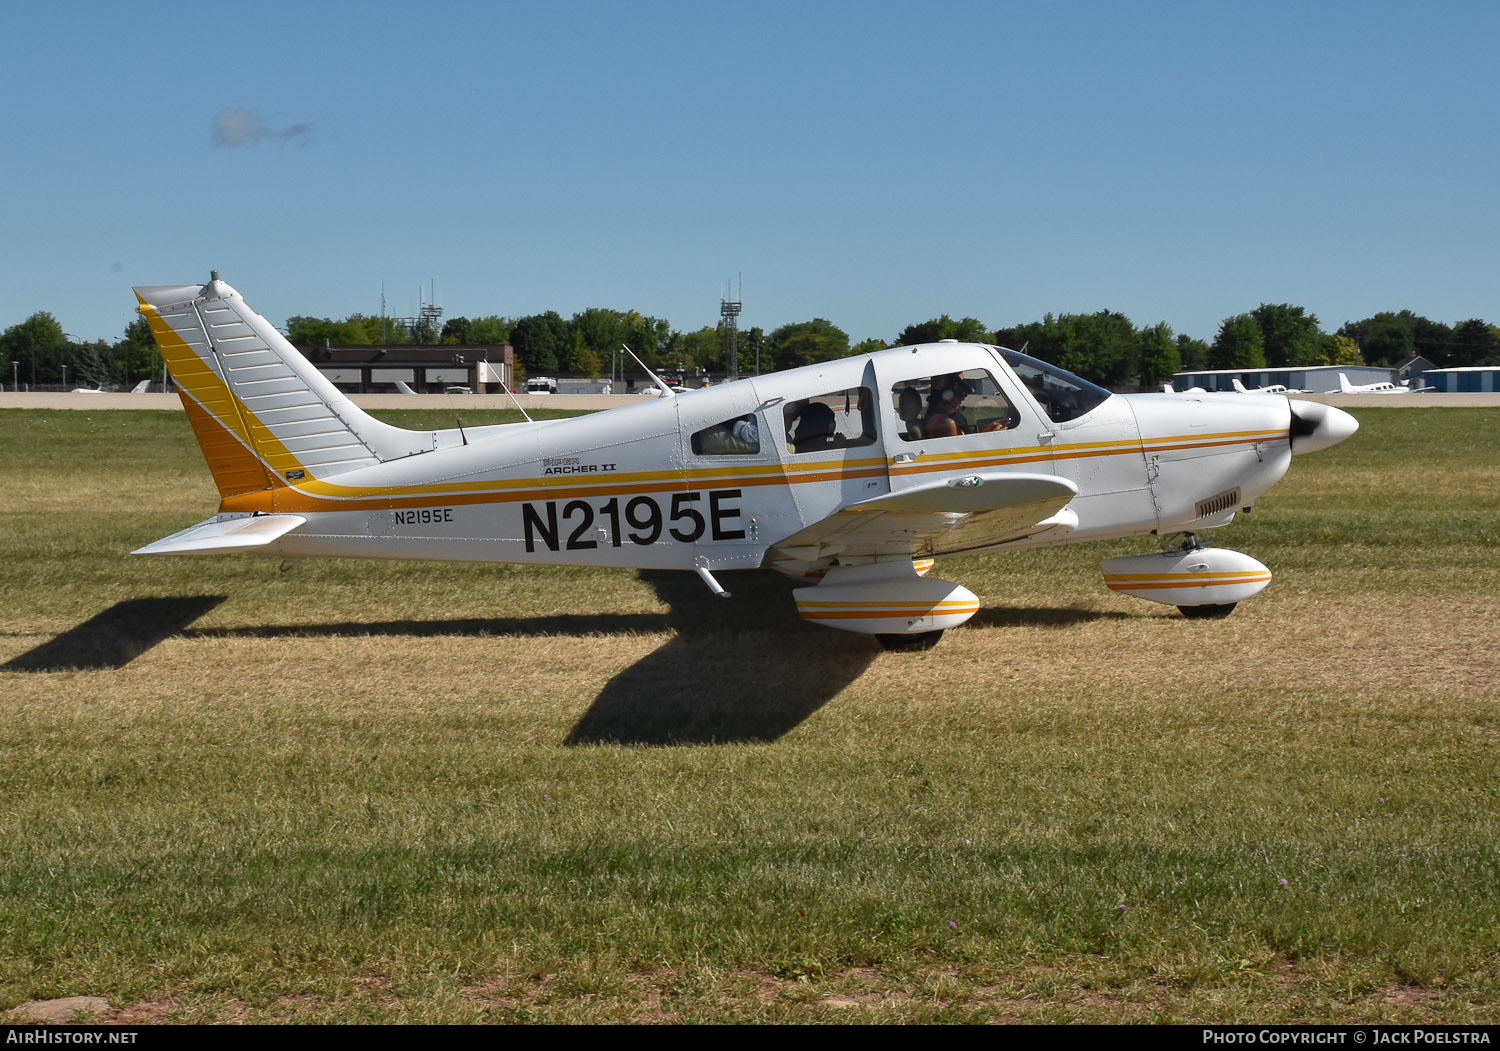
(875, 164)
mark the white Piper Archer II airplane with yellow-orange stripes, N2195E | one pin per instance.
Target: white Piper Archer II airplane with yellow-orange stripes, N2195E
(851, 476)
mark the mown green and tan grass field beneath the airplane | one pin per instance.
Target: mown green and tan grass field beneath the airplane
(424, 792)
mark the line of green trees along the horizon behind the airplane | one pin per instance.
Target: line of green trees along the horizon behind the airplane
(1105, 347)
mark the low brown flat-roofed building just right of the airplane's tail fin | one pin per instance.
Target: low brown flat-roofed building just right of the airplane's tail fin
(424, 368)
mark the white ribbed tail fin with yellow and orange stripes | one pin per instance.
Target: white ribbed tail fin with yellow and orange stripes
(263, 415)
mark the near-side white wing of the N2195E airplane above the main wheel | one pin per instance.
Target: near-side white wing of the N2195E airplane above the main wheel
(943, 518)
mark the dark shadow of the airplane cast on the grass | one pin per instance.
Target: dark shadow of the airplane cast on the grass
(737, 671)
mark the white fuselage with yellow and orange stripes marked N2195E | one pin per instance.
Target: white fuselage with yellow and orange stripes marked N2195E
(668, 484)
